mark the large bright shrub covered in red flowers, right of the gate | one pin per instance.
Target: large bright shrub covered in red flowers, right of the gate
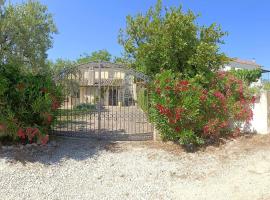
(190, 111)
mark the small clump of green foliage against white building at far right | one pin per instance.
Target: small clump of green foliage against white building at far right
(249, 76)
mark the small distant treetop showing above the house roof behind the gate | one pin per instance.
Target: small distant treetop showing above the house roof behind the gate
(101, 55)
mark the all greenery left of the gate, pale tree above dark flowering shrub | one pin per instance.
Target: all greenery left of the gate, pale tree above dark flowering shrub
(28, 95)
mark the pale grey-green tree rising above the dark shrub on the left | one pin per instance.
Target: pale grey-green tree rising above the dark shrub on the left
(26, 34)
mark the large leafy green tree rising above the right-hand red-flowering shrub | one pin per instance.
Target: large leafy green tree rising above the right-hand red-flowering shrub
(171, 39)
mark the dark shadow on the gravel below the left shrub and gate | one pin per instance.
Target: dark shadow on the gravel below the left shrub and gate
(58, 150)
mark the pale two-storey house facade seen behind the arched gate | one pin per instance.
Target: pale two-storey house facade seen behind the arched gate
(114, 83)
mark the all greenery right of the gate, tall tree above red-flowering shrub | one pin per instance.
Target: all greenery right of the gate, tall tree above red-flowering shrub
(191, 100)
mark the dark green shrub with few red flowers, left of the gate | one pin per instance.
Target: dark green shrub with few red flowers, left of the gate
(28, 104)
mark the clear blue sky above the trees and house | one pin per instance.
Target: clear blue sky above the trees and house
(86, 26)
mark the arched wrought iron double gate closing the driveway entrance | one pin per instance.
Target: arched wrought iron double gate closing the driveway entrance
(104, 100)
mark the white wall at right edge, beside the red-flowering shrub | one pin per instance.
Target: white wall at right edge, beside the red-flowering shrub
(261, 115)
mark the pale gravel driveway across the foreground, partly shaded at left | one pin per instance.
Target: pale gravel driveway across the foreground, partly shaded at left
(84, 169)
